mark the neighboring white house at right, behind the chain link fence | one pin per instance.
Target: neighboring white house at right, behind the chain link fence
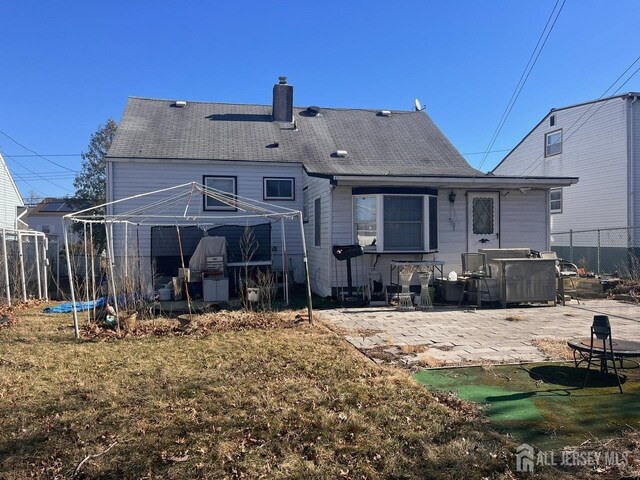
(597, 141)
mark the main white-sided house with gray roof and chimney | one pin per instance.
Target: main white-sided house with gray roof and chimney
(389, 180)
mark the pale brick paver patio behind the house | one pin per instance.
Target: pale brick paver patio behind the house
(455, 336)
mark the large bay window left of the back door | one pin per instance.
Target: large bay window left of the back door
(396, 222)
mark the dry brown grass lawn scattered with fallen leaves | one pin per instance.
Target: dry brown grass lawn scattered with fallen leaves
(273, 402)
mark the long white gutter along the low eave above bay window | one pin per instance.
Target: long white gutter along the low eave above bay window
(477, 182)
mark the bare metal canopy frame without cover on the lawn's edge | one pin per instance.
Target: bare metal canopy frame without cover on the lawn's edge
(155, 213)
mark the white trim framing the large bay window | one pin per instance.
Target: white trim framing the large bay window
(380, 222)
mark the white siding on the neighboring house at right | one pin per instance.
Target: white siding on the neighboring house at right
(596, 153)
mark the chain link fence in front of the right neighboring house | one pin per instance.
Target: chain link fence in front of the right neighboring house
(604, 252)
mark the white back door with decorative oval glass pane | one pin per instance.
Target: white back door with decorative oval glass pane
(483, 220)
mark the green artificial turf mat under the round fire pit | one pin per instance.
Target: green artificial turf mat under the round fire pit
(544, 404)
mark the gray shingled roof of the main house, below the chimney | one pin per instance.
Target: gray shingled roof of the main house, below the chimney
(405, 143)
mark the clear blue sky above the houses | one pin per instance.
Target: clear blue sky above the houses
(68, 66)
